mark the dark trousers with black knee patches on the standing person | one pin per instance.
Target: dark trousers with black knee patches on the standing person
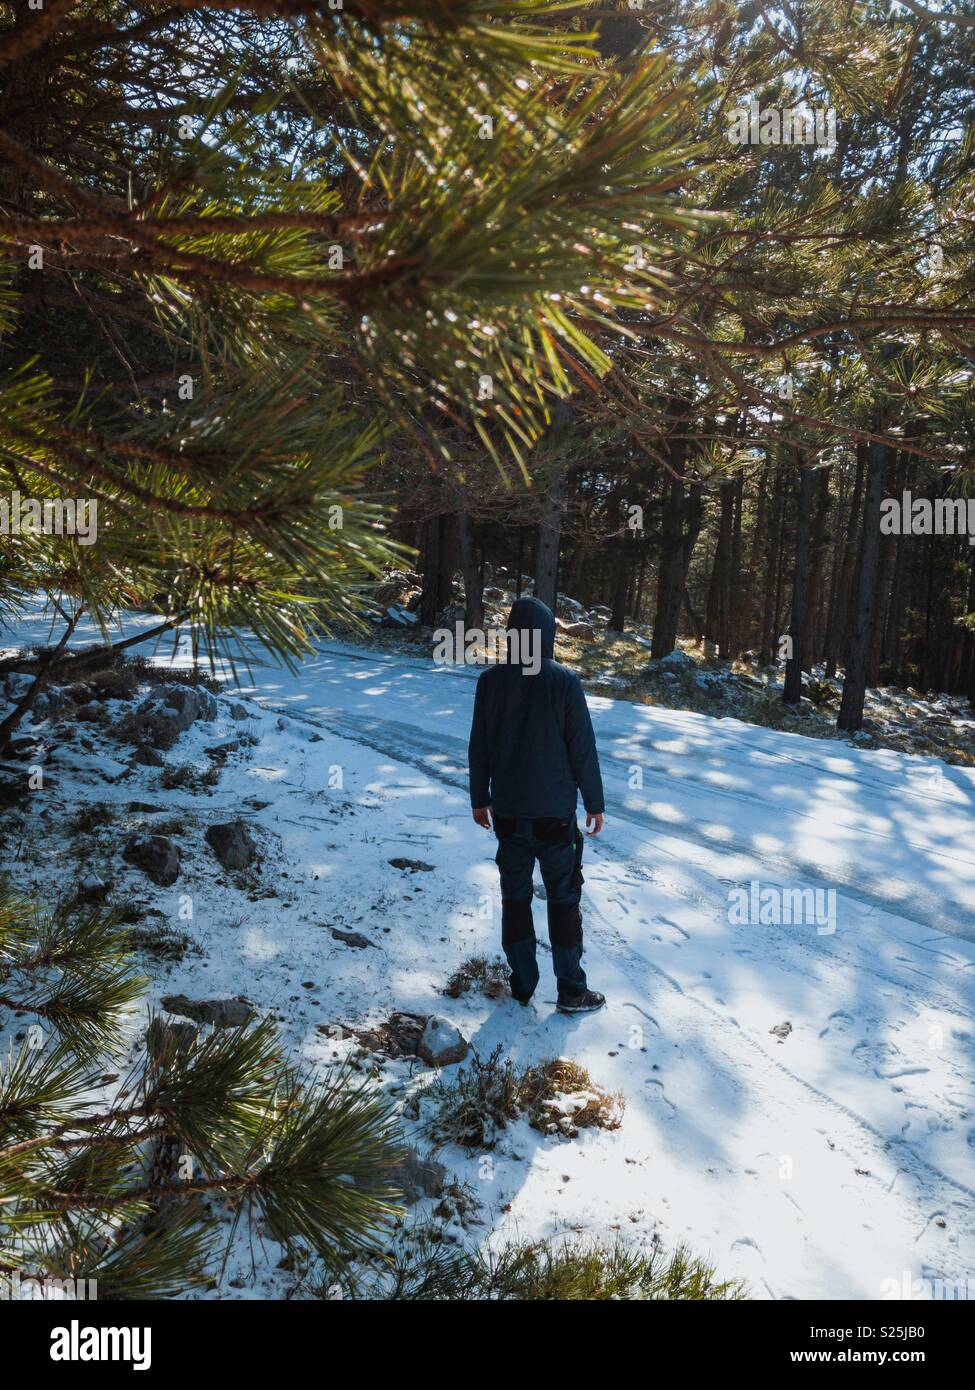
(557, 844)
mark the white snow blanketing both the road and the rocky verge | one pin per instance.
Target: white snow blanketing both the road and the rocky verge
(825, 1164)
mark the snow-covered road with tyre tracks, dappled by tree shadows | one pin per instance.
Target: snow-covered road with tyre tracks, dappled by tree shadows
(831, 1163)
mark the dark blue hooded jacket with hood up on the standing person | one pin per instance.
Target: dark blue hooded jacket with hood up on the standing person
(532, 744)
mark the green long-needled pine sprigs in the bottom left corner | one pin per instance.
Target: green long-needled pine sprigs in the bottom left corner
(118, 1192)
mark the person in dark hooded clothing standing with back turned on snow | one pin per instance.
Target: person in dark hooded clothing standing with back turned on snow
(532, 751)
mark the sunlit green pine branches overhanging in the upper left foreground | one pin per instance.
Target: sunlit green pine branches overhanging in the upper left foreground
(245, 252)
